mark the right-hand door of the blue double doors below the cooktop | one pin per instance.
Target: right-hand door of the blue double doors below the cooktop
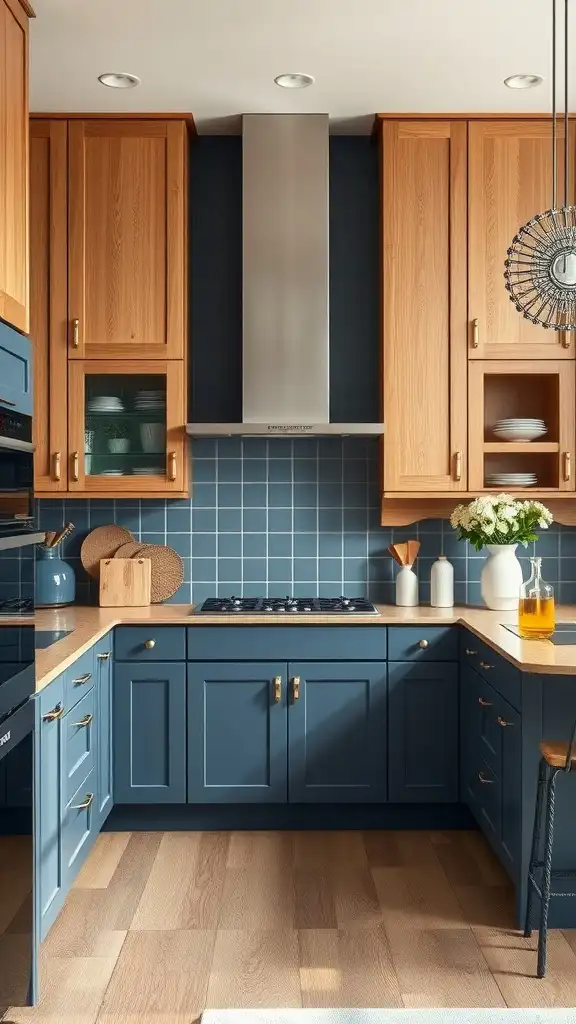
(338, 733)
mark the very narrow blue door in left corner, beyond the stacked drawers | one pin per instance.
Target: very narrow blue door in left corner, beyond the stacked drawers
(103, 669)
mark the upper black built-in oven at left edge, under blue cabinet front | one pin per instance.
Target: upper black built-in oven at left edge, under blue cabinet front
(17, 473)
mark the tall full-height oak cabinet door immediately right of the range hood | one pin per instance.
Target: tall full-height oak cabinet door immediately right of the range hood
(425, 306)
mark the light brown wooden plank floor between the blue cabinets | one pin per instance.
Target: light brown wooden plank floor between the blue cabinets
(160, 926)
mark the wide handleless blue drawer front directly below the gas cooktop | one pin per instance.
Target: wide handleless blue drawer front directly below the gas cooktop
(287, 644)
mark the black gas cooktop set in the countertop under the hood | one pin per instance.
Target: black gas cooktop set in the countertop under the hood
(287, 606)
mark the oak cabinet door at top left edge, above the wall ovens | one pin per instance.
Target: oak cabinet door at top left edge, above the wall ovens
(14, 164)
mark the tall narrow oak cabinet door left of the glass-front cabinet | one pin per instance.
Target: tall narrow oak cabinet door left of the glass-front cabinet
(49, 315)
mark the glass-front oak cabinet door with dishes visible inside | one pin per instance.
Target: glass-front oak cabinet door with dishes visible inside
(127, 428)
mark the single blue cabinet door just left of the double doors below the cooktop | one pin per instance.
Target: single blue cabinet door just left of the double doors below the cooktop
(149, 732)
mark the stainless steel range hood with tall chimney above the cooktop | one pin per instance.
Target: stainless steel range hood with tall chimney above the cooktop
(286, 370)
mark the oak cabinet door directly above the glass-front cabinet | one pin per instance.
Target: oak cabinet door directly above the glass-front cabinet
(128, 266)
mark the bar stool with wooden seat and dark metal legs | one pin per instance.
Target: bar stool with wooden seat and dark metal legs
(555, 758)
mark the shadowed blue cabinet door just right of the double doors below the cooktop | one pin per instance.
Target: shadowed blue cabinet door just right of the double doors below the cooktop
(424, 733)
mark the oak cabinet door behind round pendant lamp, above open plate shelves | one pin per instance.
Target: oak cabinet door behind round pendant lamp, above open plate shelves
(510, 181)
